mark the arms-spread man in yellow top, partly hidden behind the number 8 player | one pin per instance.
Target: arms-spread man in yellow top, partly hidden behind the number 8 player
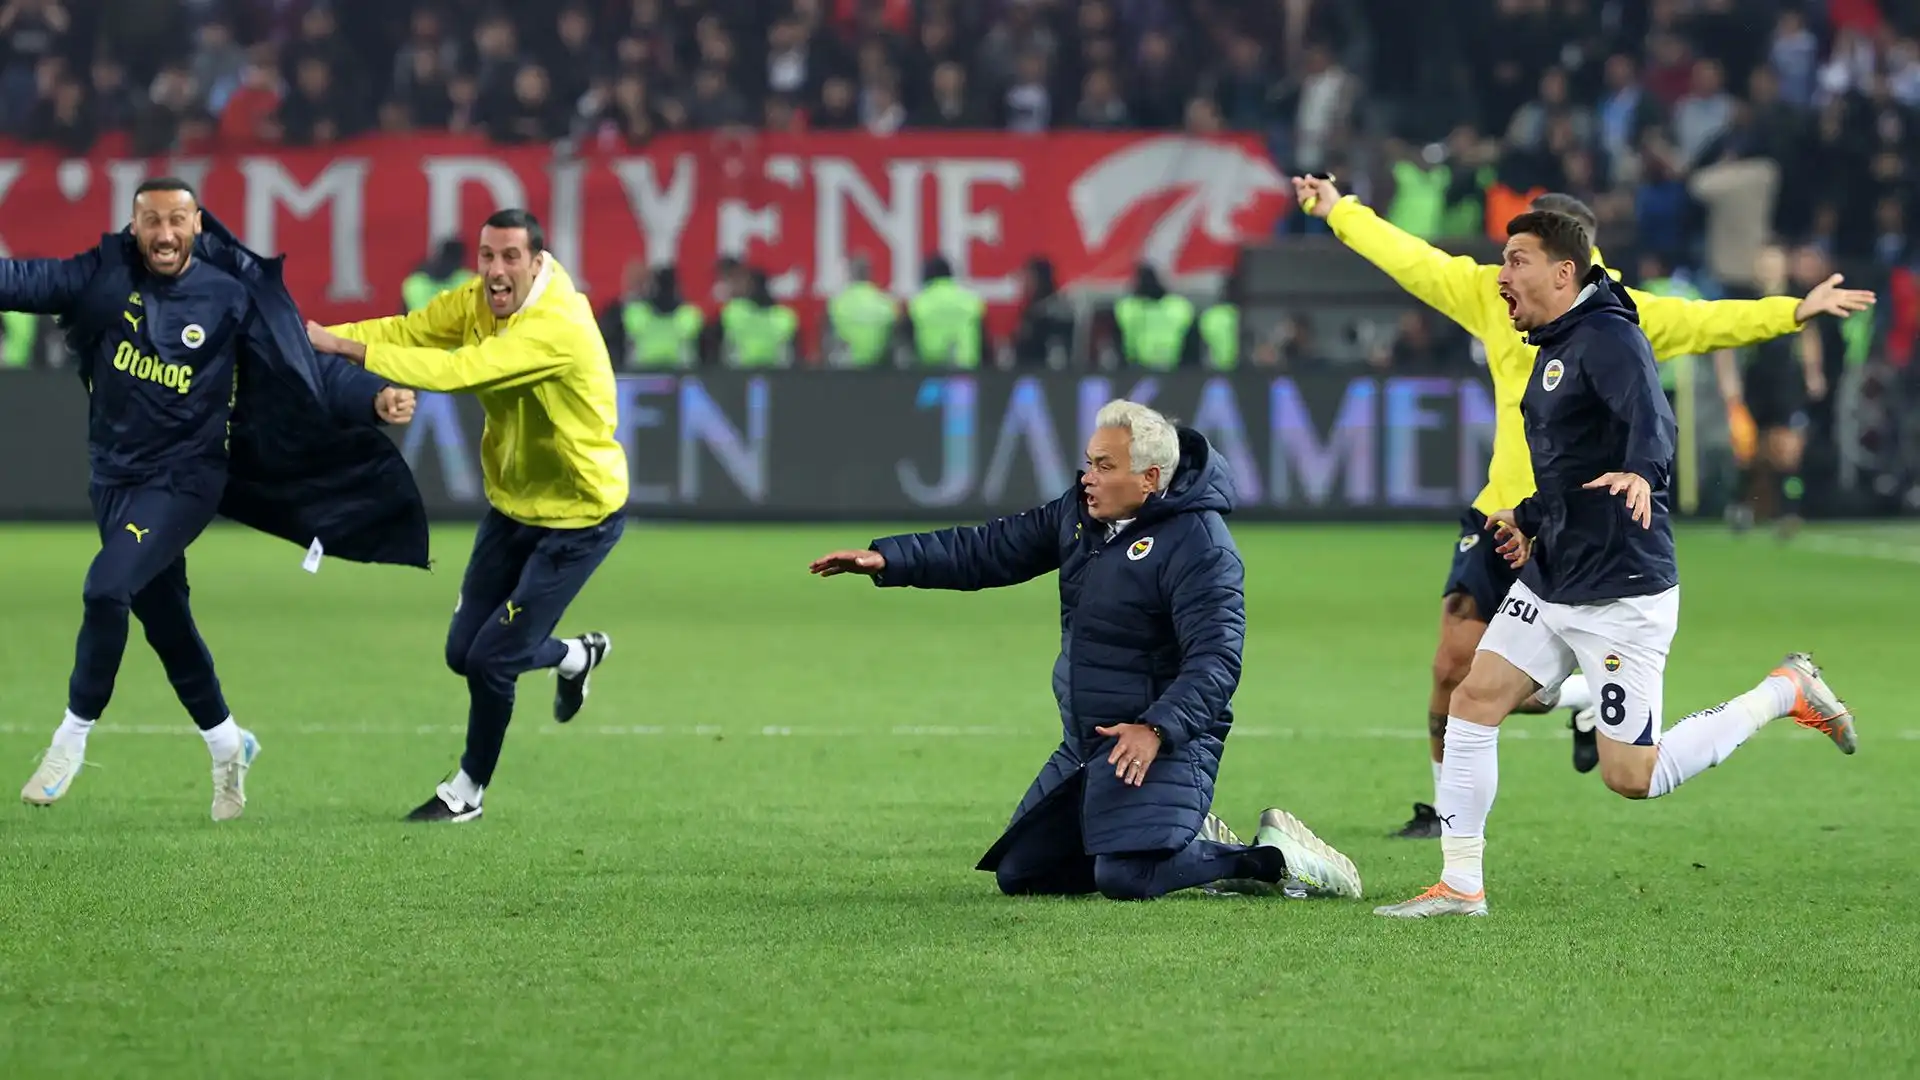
(1468, 293)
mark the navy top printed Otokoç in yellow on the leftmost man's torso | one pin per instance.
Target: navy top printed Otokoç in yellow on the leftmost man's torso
(164, 381)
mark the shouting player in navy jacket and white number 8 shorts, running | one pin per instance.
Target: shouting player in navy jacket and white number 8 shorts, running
(1598, 587)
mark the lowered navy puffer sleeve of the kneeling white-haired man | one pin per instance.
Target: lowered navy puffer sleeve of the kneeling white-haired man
(1211, 622)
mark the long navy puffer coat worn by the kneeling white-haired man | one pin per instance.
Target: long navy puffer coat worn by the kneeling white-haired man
(1151, 631)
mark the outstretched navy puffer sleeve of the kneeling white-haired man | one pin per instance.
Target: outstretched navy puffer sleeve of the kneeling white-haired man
(1001, 552)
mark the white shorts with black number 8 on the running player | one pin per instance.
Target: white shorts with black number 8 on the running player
(1621, 647)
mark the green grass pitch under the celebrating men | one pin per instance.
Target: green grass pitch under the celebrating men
(752, 856)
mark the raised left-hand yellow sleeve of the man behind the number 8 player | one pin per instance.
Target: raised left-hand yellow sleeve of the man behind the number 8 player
(1464, 291)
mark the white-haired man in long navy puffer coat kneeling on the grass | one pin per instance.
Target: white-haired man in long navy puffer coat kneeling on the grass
(1153, 616)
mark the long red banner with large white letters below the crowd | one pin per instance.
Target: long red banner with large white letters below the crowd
(358, 218)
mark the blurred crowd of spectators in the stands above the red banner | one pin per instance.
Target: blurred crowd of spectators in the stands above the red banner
(1698, 130)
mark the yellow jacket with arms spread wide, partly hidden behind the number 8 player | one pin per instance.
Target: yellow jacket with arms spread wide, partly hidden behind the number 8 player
(1468, 293)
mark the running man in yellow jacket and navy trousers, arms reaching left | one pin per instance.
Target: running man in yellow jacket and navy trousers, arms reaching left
(523, 341)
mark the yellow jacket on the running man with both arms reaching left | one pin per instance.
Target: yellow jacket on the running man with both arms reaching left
(542, 376)
